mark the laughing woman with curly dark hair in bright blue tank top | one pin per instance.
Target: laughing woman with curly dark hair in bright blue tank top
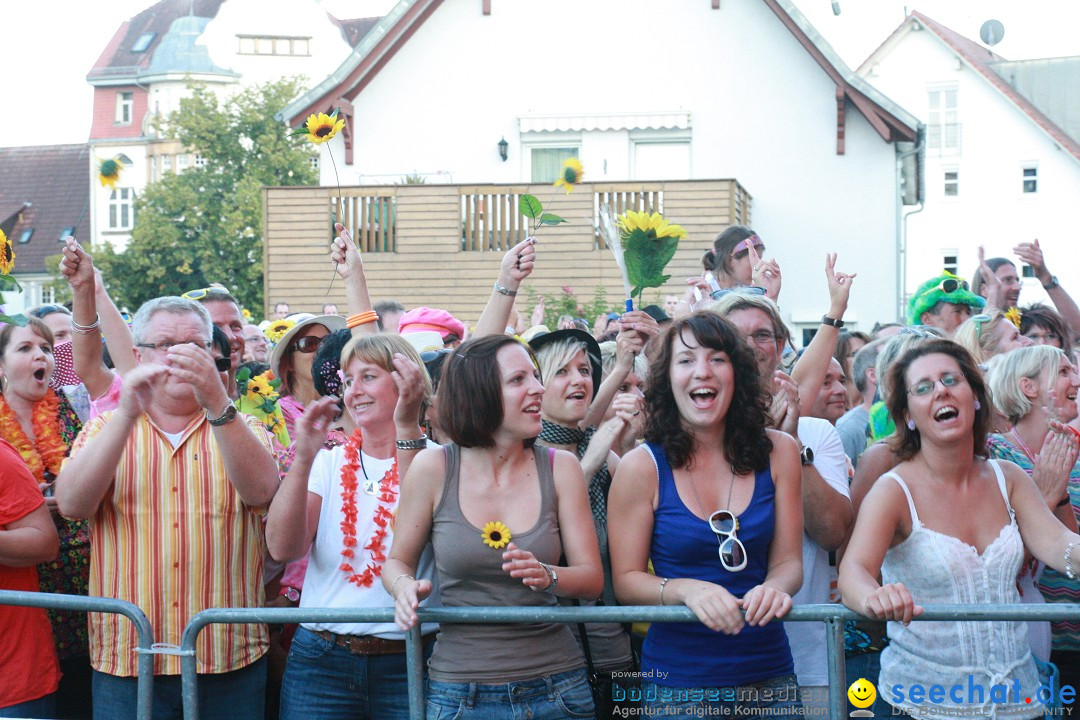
(718, 508)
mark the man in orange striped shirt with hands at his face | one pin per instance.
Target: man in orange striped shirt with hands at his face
(174, 484)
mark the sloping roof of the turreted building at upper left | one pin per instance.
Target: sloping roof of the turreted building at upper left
(118, 61)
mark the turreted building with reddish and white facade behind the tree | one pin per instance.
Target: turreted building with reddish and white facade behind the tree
(147, 66)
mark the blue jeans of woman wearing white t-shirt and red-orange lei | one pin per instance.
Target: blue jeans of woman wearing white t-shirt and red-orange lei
(327, 683)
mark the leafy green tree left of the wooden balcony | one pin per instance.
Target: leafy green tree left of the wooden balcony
(206, 225)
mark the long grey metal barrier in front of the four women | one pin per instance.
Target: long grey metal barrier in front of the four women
(833, 616)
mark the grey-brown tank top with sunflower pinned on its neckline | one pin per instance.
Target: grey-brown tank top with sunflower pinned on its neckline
(471, 575)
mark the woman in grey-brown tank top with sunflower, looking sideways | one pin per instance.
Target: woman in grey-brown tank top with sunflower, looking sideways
(499, 515)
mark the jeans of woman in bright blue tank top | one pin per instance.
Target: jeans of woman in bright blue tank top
(776, 698)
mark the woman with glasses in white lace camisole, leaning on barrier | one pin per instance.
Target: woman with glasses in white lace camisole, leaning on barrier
(949, 527)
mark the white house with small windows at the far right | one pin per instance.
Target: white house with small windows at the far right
(1003, 158)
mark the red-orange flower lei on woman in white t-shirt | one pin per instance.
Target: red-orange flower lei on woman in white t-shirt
(384, 515)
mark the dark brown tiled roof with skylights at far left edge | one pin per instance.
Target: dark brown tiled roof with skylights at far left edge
(55, 180)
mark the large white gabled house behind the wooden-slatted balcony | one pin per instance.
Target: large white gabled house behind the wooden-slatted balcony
(639, 90)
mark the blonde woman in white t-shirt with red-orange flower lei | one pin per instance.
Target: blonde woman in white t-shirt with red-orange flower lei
(343, 504)
